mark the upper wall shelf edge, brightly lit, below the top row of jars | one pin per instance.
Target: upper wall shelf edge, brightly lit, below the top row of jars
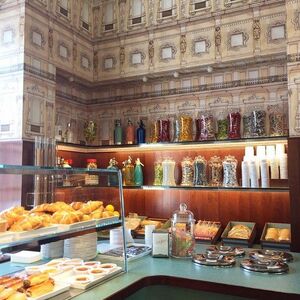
(173, 146)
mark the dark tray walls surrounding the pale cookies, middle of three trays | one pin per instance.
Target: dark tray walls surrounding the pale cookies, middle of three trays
(238, 241)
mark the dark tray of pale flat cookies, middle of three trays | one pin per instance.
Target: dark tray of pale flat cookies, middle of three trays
(239, 233)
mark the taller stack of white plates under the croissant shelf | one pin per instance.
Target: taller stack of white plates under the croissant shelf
(84, 247)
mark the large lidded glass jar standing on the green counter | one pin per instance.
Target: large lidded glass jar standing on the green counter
(182, 233)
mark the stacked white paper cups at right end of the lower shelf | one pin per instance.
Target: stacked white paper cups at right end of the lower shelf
(269, 162)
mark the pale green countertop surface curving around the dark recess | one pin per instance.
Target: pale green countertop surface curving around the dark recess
(234, 276)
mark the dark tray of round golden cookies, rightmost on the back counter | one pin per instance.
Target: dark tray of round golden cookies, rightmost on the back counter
(276, 235)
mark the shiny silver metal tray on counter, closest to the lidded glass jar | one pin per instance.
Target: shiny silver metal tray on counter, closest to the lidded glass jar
(214, 260)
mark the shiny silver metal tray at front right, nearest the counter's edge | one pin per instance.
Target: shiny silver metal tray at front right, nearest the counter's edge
(264, 266)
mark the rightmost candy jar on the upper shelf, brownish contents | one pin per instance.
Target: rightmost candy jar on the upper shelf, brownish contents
(276, 120)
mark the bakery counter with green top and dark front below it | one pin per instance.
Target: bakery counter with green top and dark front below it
(164, 275)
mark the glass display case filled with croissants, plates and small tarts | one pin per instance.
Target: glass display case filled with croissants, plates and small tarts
(64, 223)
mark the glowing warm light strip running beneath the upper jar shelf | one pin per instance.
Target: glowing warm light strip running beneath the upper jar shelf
(166, 147)
